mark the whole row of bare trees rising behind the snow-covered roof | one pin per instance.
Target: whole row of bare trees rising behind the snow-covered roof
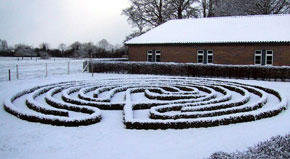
(147, 14)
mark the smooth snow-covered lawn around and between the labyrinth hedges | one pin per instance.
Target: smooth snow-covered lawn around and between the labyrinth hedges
(109, 138)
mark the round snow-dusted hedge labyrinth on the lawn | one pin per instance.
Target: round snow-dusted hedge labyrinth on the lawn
(147, 103)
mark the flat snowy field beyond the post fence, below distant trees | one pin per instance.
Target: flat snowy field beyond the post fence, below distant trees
(36, 68)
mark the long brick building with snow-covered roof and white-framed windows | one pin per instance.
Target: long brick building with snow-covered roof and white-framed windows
(245, 40)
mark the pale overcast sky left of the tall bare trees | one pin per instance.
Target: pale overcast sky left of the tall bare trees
(62, 21)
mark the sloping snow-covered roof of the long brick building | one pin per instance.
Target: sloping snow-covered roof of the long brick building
(240, 29)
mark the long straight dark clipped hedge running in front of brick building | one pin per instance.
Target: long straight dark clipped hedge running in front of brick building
(195, 70)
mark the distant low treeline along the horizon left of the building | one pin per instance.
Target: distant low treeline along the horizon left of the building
(102, 49)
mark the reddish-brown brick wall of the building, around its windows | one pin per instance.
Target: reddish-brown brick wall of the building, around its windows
(241, 54)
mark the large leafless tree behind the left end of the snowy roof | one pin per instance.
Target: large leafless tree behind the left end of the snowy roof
(147, 14)
